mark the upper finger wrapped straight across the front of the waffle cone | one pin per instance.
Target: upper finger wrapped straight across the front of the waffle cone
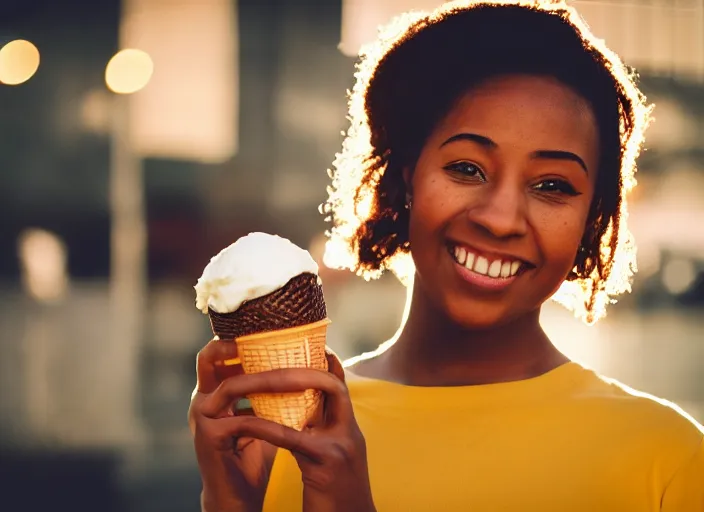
(281, 381)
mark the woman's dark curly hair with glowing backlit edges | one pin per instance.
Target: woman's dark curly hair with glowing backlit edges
(409, 79)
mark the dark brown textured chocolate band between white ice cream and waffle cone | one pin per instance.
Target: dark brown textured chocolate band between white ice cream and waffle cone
(299, 302)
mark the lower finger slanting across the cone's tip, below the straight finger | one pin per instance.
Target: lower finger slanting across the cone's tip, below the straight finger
(223, 431)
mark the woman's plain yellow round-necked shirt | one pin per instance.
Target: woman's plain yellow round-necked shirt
(567, 441)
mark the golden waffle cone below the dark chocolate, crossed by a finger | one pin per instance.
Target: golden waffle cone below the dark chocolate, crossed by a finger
(297, 347)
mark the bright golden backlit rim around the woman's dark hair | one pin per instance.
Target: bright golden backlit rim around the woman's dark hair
(358, 165)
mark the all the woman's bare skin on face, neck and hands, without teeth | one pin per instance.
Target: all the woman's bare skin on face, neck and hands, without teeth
(500, 198)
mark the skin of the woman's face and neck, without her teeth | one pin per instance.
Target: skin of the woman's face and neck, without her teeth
(503, 198)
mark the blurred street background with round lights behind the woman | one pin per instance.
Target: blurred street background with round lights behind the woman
(139, 137)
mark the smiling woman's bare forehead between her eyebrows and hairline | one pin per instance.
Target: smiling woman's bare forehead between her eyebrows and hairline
(525, 112)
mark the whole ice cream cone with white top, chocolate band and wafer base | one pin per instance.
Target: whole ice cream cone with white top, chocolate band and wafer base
(264, 293)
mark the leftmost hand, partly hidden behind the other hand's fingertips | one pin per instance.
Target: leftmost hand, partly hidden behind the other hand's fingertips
(235, 473)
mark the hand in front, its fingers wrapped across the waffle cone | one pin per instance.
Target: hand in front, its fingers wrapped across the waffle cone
(330, 452)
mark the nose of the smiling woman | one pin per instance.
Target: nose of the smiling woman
(500, 210)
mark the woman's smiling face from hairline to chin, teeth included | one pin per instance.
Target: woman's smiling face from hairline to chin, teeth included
(501, 194)
